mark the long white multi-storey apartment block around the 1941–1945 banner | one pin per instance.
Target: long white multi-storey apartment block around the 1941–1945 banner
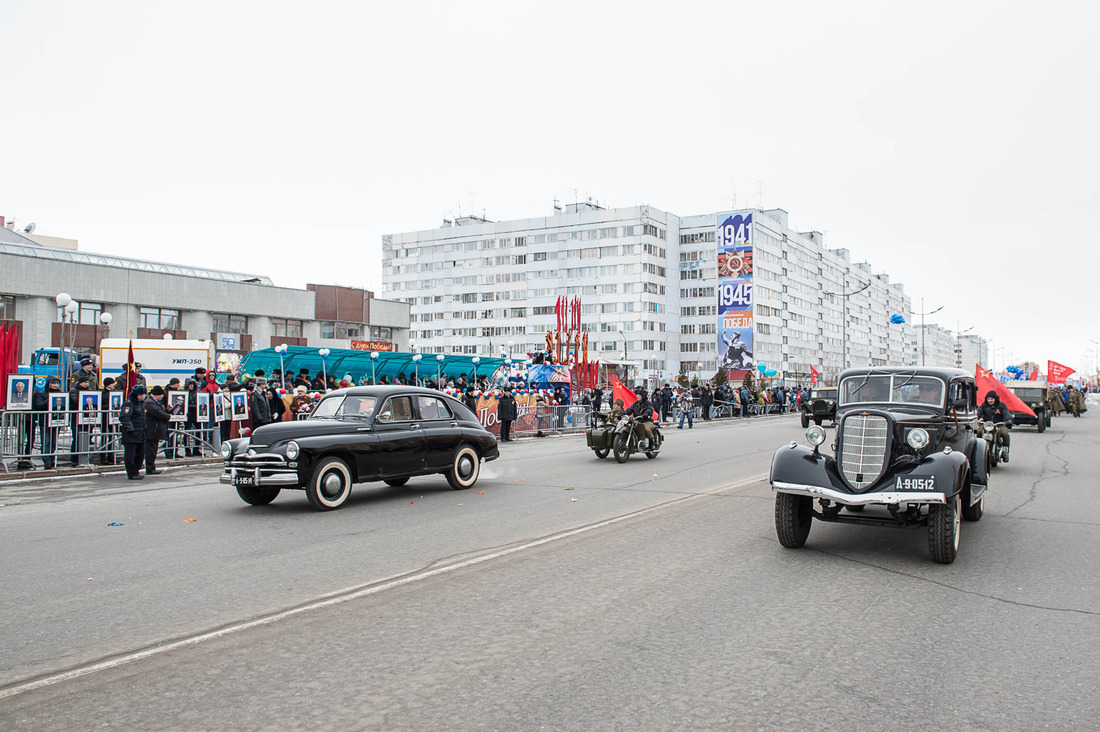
(648, 281)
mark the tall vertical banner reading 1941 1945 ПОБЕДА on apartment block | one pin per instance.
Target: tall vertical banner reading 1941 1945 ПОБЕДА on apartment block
(735, 291)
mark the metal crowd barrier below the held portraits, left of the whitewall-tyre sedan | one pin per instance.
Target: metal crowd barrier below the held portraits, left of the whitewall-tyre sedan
(67, 439)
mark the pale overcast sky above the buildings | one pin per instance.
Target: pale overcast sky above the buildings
(952, 145)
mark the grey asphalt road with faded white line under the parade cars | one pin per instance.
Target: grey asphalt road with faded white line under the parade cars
(562, 593)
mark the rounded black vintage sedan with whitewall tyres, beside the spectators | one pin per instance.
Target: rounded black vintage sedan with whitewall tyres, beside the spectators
(358, 435)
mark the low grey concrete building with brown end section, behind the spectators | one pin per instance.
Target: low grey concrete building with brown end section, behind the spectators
(148, 300)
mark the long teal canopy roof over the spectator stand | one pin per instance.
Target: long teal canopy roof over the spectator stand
(358, 364)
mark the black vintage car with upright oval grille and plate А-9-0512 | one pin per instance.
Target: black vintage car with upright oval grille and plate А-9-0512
(906, 450)
